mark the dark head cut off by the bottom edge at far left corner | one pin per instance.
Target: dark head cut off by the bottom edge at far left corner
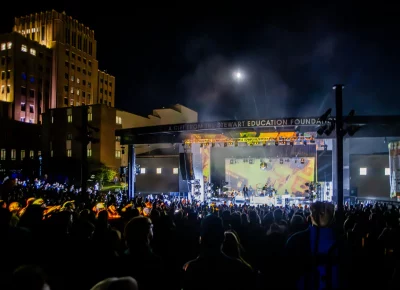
(29, 277)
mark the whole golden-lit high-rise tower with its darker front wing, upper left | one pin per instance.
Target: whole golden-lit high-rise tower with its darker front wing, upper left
(57, 50)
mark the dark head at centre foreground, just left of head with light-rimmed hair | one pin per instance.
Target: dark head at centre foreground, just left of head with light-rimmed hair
(212, 232)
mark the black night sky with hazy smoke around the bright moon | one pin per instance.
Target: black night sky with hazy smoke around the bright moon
(290, 54)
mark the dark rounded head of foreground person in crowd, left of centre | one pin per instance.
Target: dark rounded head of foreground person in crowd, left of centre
(139, 231)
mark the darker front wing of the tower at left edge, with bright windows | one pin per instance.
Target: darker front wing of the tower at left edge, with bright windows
(26, 70)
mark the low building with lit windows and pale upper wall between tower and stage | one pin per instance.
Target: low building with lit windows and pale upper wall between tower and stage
(62, 131)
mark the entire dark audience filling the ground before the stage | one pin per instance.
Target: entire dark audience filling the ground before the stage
(175, 244)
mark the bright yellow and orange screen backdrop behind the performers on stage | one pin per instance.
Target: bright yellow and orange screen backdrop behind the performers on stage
(289, 174)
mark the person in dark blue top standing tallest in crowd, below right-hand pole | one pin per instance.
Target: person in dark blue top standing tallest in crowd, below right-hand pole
(322, 251)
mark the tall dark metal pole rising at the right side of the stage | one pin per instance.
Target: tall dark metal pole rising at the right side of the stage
(339, 144)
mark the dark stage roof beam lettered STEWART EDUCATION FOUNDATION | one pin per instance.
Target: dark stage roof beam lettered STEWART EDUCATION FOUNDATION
(369, 126)
